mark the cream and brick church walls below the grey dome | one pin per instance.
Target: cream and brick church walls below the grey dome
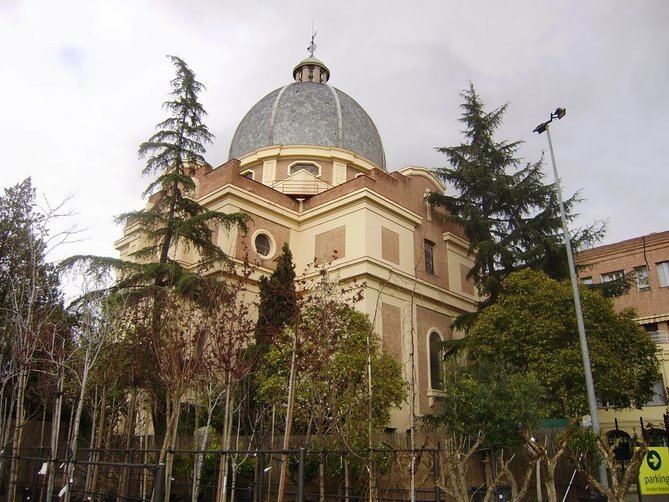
(350, 221)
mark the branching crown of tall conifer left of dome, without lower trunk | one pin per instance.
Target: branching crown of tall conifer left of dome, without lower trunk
(173, 219)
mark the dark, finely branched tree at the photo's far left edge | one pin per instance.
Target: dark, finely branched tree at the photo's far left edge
(31, 306)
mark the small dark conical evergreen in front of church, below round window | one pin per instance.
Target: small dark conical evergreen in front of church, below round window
(277, 299)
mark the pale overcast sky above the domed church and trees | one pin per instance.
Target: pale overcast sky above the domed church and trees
(82, 83)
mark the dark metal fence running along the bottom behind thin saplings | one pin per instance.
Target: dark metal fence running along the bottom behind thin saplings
(251, 475)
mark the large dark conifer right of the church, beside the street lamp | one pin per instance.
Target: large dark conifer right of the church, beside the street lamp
(509, 215)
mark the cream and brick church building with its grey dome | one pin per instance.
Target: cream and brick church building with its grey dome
(308, 166)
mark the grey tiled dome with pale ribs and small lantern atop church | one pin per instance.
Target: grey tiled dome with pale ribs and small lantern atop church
(310, 112)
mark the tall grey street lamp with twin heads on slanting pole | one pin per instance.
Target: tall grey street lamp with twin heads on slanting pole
(585, 354)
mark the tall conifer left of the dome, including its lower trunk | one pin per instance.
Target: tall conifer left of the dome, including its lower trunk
(172, 221)
